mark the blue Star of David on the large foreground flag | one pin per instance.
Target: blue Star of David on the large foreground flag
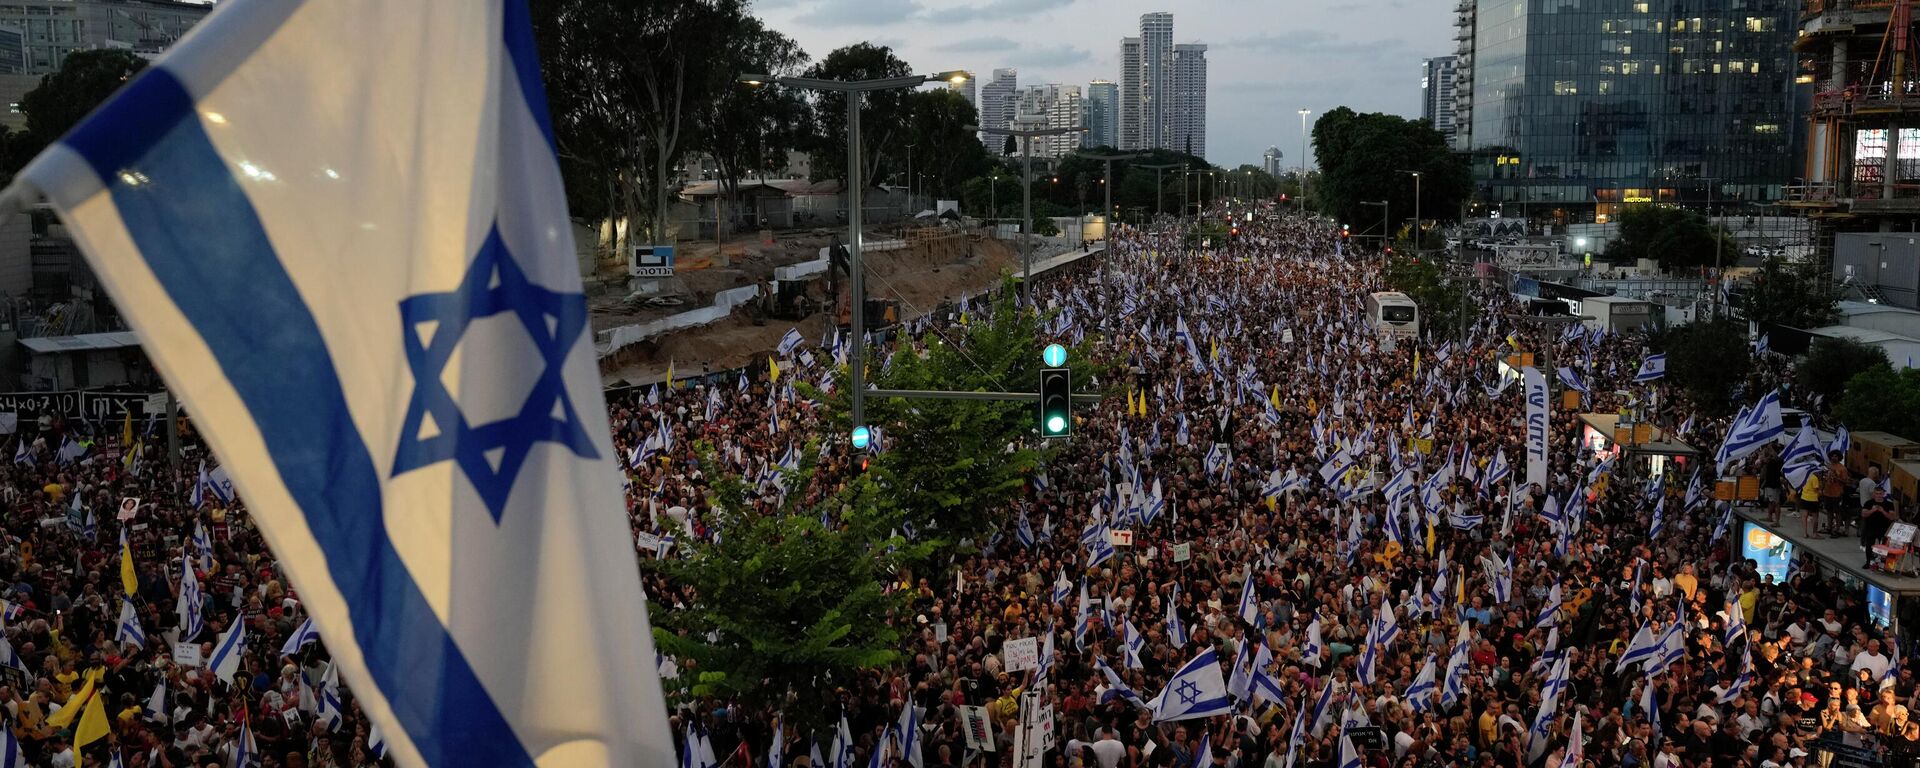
(433, 327)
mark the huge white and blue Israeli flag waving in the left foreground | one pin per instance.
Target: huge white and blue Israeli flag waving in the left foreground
(341, 233)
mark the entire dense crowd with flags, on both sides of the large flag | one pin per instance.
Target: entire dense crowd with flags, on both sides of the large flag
(1414, 604)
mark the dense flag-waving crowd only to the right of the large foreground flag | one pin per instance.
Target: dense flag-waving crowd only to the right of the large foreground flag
(1602, 608)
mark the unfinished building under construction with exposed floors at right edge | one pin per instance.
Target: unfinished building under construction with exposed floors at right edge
(1861, 183)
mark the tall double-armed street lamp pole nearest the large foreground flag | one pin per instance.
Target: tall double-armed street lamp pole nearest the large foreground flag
(857, 285)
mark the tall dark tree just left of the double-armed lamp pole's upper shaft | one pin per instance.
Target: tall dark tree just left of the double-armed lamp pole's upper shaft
(752, 130)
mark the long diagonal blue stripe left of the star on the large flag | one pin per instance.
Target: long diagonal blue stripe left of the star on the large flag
(212, 256)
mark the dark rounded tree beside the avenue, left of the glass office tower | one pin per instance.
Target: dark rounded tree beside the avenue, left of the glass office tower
(1362, 160)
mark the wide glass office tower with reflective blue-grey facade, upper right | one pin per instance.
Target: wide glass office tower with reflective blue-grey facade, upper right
(1585, 107)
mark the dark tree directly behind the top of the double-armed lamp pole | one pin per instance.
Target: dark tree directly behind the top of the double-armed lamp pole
(884, 114)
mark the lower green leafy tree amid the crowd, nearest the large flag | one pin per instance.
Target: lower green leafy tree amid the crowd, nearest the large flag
(782, 606)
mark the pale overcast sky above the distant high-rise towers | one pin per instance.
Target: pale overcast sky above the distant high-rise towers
(1266, 59)
